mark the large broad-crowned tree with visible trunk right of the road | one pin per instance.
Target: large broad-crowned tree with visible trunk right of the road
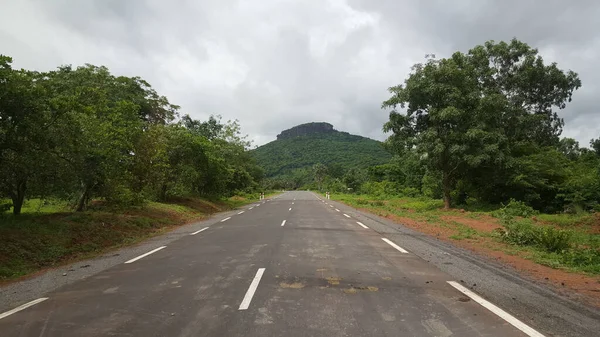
(465, 115)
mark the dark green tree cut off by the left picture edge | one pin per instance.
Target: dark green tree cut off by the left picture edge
(27, 128)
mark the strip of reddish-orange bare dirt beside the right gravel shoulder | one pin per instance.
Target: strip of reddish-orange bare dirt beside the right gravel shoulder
(580, 287)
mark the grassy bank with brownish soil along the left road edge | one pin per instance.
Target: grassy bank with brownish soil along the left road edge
(49, 236)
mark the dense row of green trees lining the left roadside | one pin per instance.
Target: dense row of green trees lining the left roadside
(83, 134)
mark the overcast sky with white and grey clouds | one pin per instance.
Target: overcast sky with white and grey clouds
(273, 64)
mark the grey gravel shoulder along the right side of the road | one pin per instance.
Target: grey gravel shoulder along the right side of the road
(535, 304)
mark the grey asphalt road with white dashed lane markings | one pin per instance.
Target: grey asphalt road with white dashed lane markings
(295, 265)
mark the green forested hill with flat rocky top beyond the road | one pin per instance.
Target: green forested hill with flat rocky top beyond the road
(307, 144)
